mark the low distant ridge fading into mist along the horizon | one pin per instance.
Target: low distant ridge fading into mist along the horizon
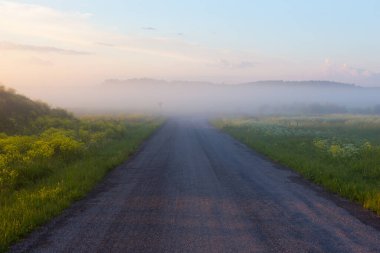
(254, 97)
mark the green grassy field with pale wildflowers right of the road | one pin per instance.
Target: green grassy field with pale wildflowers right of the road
(339, 152)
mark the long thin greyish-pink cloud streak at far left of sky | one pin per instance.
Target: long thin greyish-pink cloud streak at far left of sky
(40, 49)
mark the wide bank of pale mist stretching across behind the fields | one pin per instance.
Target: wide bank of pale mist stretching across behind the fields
(180, 97)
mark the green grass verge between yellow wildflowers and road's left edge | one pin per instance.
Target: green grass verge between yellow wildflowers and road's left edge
(24, 208)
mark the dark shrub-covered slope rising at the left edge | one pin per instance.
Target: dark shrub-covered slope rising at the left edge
(17, 112)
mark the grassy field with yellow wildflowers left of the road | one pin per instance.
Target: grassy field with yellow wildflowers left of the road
(42, 173)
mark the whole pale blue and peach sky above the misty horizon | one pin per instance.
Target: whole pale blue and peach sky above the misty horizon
(69, 43)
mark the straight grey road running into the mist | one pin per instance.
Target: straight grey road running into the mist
(194, 189)
